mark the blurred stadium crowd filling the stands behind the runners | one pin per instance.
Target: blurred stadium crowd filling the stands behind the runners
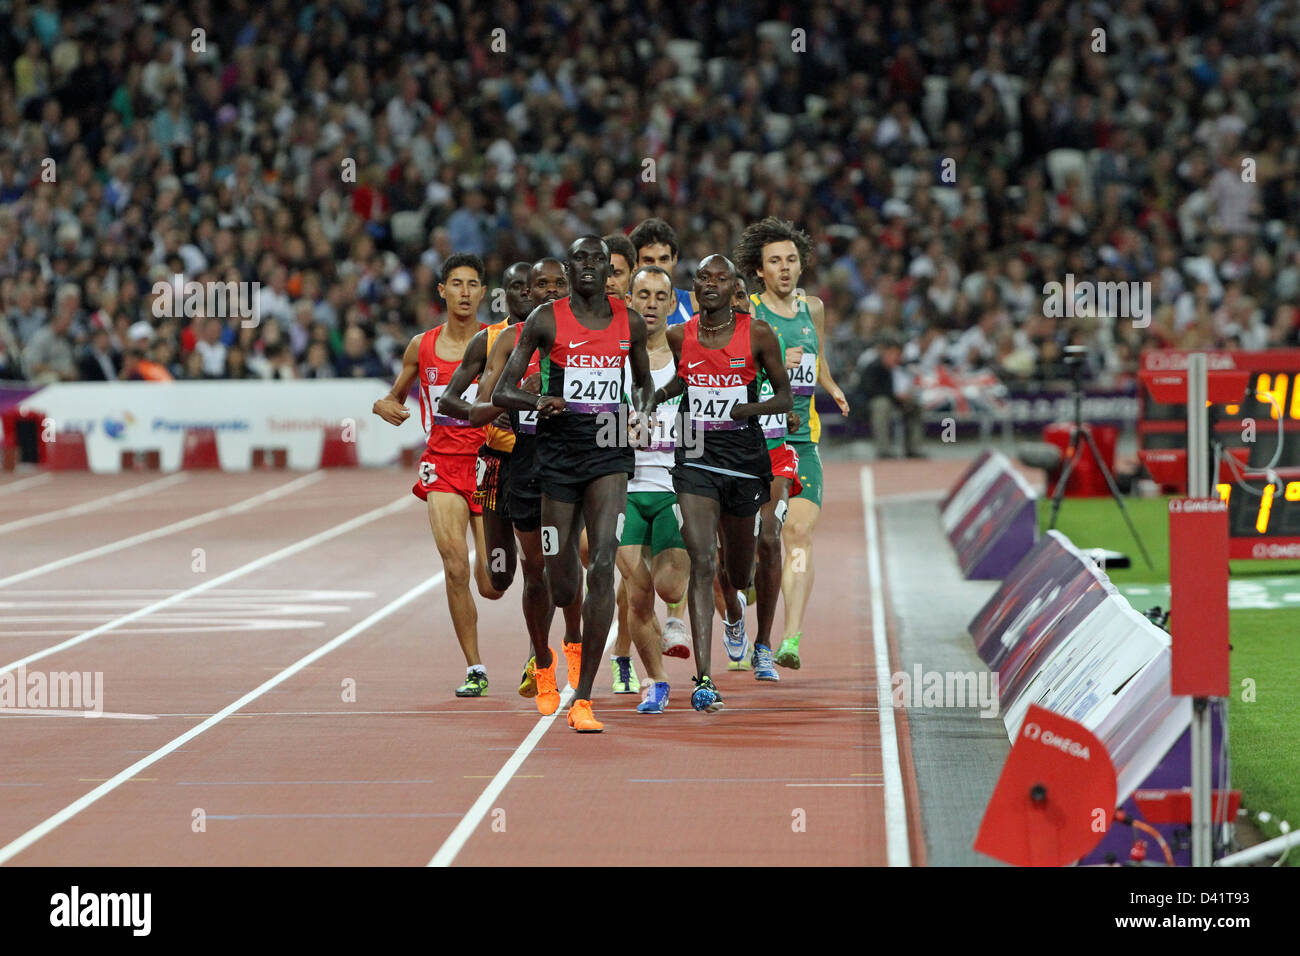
(950, 161)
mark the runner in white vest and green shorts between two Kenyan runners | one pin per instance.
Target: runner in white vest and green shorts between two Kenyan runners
(652, 555)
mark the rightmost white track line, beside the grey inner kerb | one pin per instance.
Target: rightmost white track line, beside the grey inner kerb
(896, 803)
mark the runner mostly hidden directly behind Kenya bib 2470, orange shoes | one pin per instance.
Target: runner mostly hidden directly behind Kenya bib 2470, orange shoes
(522, 496)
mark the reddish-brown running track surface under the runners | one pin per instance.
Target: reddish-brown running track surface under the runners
(300, 776)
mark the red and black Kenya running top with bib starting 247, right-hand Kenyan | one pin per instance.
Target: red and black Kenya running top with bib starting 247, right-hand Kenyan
(717, 382)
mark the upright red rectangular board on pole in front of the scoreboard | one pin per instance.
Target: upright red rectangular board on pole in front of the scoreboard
(1198, 579)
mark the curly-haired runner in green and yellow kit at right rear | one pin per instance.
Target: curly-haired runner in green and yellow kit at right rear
(777, 253)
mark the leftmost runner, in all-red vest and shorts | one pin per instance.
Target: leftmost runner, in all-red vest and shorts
(447, 478)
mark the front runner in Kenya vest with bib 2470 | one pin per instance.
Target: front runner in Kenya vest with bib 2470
(584, 460)
